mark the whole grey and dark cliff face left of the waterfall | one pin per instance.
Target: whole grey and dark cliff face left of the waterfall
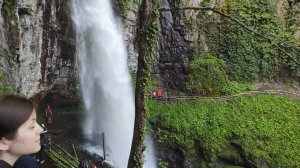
(37, 48)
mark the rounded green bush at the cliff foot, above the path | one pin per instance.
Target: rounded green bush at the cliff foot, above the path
(207, 77)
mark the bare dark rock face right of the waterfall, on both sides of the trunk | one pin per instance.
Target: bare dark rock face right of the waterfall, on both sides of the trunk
(177, 41)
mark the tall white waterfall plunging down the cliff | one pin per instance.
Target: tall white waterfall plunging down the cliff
(105, 79)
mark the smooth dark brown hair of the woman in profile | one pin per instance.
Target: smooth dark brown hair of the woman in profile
(14, 111)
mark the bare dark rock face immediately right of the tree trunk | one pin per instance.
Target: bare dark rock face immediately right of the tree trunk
(175, 39)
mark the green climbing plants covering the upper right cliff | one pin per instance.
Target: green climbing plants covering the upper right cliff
(250, 57)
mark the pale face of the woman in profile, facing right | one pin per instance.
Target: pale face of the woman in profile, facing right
(27, 139)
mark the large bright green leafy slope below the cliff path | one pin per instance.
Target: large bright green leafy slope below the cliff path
(257, 128)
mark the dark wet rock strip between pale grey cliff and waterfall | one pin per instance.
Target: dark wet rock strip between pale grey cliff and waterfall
(59, 75)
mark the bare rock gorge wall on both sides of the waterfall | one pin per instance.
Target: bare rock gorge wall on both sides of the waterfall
(37, 45)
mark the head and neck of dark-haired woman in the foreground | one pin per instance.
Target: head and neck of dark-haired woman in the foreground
(19, 130)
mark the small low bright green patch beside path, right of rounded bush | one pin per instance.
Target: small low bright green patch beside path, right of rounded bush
(234, 88)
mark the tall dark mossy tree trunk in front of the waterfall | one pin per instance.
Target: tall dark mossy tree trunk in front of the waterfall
(137, 148)
